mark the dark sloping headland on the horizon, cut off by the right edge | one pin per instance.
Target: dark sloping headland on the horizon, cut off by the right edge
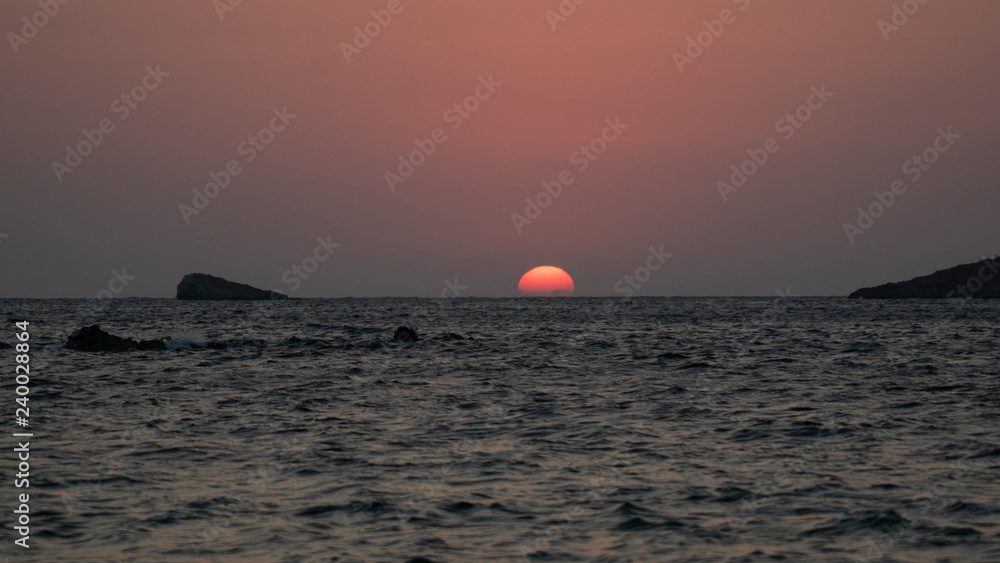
(980, 280)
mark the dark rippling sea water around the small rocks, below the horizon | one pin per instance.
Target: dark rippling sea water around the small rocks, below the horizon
(743, 430)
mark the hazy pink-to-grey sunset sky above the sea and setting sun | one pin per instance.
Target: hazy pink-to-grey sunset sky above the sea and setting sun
(641, 107)
